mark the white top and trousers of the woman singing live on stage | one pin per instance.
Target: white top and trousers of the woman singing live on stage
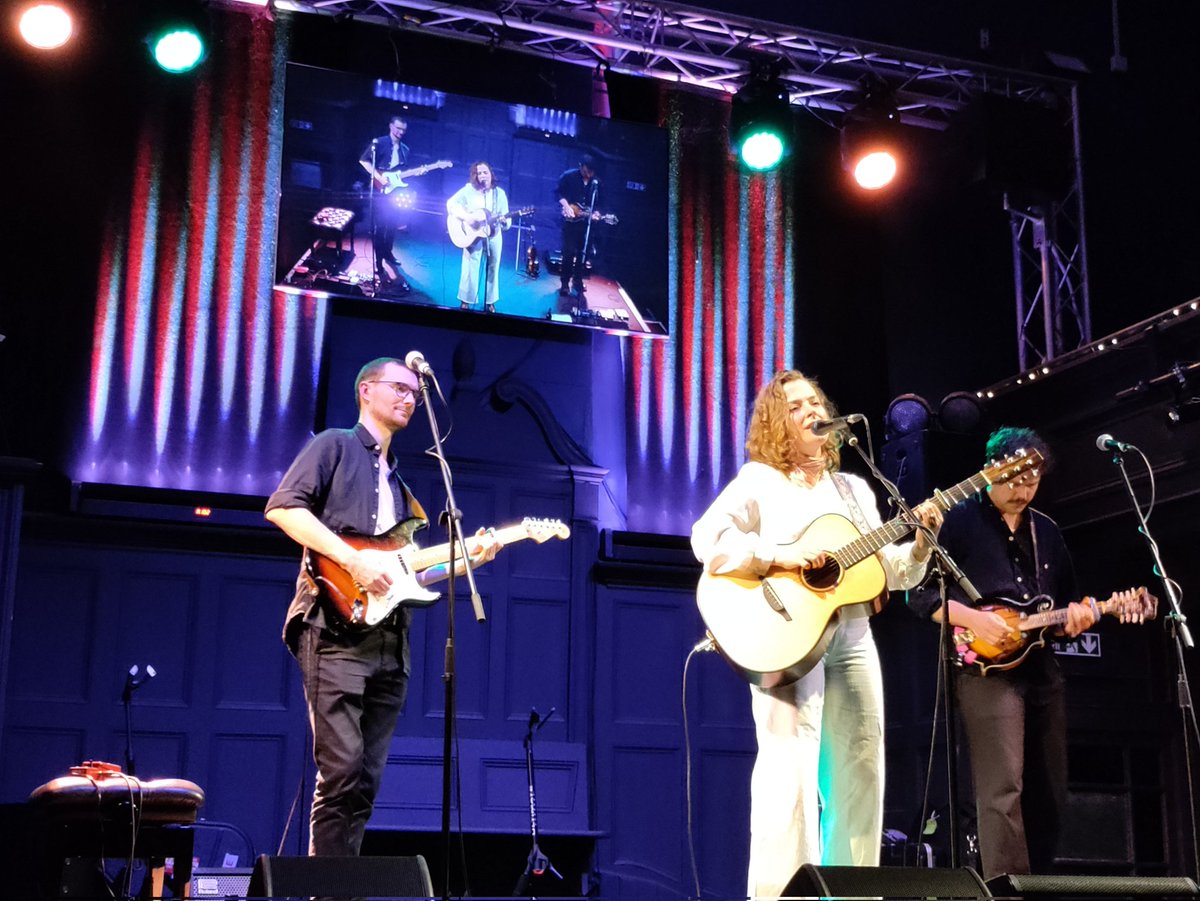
(817, 794)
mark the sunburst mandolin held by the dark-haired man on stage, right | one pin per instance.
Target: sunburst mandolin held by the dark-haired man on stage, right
(1029, 630)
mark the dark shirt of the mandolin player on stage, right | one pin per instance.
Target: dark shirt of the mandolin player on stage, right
(1017, 567)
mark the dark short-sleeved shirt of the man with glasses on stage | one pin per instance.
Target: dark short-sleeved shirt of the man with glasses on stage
(337, 477)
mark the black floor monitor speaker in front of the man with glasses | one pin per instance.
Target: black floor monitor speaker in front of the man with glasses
(341, 878)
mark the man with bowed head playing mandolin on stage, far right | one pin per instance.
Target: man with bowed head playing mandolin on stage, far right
(1016, 719)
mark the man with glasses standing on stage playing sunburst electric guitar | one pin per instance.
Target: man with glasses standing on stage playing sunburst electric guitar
(345, 480)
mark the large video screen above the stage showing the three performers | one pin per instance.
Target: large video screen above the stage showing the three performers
(406, 195)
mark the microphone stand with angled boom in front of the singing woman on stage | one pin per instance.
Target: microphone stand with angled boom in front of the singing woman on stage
(946, 566)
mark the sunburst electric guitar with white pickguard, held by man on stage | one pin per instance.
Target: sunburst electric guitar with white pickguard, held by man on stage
(361, 610)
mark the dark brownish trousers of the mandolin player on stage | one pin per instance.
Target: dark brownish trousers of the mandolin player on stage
(1016, 723)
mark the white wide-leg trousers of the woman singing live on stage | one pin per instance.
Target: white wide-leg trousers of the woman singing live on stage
(817, 794)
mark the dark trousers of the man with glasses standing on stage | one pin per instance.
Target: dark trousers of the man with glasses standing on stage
(356, 689)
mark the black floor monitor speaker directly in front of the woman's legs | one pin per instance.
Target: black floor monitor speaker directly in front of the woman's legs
(886, 882)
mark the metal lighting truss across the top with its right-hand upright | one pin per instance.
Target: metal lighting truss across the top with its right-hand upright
(715, 51)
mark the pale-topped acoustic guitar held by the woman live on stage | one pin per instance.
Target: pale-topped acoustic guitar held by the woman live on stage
(773, 629)
